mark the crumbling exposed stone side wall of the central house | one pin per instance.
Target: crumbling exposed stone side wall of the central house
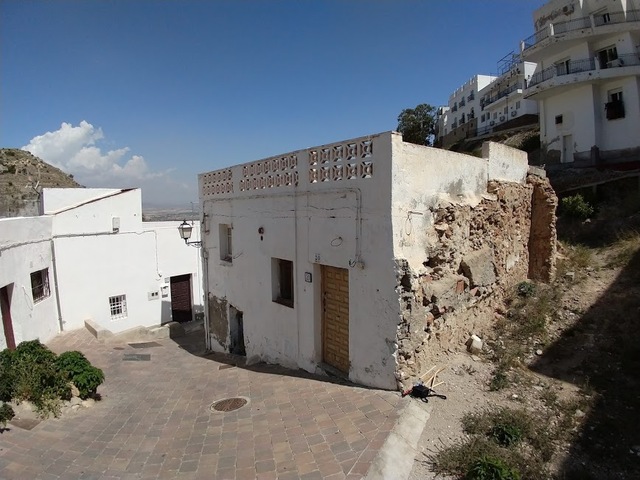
(474, 255)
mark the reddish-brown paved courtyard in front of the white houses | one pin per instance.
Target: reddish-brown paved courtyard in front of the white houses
(154, 421)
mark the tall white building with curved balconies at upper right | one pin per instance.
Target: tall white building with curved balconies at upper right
(587, 81)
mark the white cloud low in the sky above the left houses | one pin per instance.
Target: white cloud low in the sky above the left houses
(75, 150)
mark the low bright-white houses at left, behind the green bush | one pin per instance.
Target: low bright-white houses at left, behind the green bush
(90, 256)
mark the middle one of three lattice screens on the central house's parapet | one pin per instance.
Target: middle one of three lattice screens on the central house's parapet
(271, 173)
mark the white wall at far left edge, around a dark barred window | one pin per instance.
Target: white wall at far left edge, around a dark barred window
(25, 247)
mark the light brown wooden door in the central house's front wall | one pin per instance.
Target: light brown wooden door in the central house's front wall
(335, 317)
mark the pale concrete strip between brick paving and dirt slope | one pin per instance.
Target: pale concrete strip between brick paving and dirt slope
(395, 459)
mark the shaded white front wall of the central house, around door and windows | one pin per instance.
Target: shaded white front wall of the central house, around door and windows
(336, 222)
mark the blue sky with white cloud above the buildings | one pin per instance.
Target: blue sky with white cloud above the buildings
(154, 92)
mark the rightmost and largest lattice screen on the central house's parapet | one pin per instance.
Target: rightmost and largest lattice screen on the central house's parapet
(341, 162)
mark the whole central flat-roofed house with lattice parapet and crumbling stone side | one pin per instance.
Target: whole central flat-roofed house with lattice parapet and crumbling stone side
(358, 257)
